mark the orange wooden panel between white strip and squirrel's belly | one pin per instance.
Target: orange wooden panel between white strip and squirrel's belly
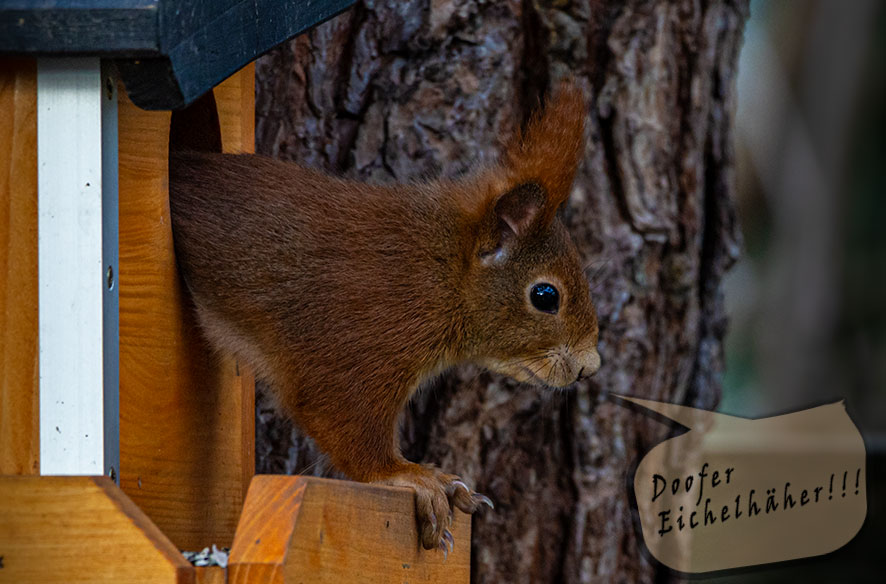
(186, 415)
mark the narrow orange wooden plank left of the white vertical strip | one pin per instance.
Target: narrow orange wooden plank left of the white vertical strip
(19, 422)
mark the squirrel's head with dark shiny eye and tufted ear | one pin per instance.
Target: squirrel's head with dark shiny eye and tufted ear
(529, 311)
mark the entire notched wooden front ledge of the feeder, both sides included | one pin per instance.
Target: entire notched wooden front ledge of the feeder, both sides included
(292, 529)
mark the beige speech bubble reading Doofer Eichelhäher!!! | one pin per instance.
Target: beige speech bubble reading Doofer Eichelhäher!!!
(735, 492)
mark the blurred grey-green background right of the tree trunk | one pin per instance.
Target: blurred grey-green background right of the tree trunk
(807, 302)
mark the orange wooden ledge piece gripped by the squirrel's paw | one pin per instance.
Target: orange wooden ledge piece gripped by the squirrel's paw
(298, 529)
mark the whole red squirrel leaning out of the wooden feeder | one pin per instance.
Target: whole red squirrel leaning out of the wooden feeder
(345, 297)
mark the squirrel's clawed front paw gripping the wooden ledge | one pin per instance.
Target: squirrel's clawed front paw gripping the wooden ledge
(436, 495)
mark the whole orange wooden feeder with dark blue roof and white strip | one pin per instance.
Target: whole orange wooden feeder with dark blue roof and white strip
(123, 438)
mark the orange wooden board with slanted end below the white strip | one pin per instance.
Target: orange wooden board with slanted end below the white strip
(81, 529)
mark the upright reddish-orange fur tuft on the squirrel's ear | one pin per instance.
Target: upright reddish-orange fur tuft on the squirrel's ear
(547, 152)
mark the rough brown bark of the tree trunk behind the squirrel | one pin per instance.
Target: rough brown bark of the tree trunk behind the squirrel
(395, 90)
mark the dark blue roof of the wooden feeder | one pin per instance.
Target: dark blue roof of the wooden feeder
(169, 52)
